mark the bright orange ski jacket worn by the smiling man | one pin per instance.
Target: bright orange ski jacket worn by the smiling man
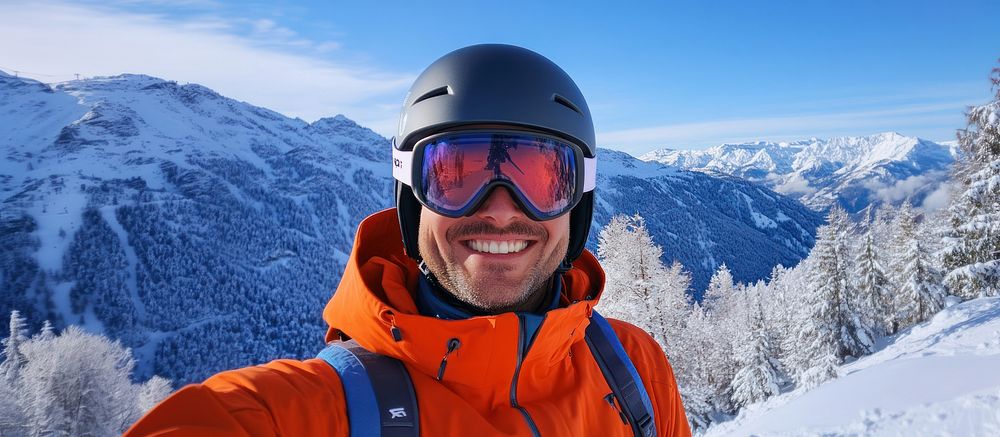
(559, 384)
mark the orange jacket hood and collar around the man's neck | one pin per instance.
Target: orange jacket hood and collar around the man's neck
(376, 296)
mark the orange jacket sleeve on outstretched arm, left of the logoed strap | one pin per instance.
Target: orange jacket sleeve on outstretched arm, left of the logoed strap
(283, 397)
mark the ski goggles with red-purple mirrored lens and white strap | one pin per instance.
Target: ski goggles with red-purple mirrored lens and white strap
(452, 173)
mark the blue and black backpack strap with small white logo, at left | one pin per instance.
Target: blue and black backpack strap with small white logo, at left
(378, 391)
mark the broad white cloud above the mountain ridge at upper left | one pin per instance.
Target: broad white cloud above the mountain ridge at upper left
(262, 67)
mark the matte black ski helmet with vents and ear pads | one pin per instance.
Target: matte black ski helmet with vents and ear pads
(494, 85)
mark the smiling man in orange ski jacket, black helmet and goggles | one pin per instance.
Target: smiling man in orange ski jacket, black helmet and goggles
(487, 303)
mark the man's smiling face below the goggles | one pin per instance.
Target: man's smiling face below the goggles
(462, 253)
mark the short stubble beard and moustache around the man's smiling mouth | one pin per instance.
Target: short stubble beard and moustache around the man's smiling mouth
(477, 292)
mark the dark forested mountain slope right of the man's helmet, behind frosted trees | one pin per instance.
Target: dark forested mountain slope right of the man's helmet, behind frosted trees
(703, 220)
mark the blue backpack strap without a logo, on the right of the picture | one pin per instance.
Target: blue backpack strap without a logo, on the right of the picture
(621, 375)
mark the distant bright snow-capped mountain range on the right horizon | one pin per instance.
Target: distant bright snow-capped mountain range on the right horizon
(851, 171)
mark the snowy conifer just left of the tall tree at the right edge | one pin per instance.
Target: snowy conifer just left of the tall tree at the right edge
(921, 294)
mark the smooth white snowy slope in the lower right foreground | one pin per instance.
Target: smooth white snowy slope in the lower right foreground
(938, 378)
